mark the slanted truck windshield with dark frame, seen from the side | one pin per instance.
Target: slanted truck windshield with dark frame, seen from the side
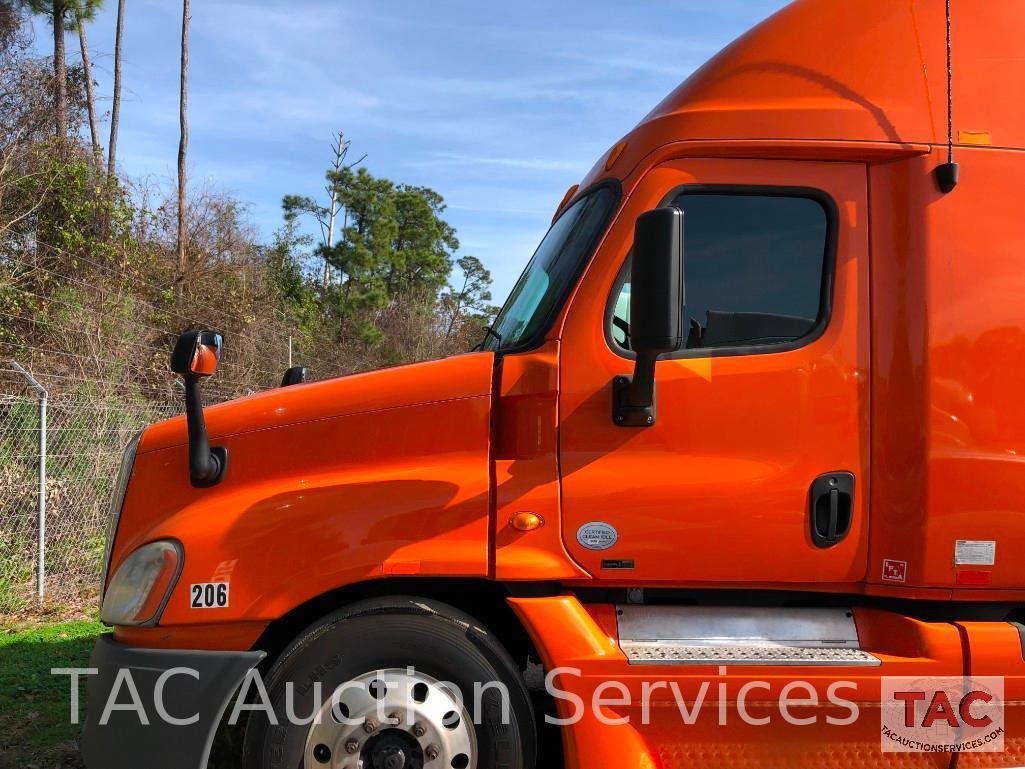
(552, 270)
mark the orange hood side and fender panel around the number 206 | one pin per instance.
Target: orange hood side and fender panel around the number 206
(311, 507)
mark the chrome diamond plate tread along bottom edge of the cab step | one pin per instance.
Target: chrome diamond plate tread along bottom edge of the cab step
(640, 653)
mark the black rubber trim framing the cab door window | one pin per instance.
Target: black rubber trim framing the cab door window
(827, 290)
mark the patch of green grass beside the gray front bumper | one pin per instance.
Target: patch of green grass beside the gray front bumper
(35, 714)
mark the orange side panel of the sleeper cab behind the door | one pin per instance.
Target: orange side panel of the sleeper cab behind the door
(949, 373)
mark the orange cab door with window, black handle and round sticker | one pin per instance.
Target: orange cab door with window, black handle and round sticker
(762, 419)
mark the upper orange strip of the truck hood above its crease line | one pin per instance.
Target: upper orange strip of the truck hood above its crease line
(461, 377)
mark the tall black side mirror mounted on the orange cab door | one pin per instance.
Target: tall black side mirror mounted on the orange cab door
(657, 311)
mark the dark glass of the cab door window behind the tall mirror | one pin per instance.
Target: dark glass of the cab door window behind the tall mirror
(755, 271)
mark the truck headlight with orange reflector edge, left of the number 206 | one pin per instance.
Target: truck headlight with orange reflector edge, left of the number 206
(143, 585)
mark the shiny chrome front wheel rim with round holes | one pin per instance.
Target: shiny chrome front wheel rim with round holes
(392, 719)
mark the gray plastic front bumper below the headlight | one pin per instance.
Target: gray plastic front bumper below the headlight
(125, 742)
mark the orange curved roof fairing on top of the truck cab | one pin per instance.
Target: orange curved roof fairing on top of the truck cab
(872, 71)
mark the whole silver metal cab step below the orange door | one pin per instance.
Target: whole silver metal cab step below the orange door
(743, 636)
